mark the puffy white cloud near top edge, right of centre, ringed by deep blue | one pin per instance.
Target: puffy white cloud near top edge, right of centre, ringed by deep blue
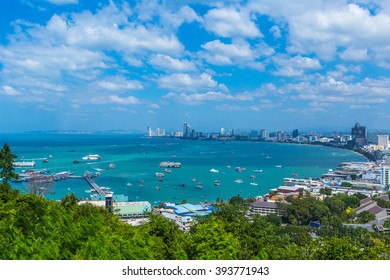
(230, 22)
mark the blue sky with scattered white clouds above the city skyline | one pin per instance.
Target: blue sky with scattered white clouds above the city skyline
(100, 65)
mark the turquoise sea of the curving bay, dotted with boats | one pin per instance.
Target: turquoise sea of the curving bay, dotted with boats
(138, 158)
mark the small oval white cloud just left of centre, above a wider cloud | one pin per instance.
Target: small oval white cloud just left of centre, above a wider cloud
(168, 63)
